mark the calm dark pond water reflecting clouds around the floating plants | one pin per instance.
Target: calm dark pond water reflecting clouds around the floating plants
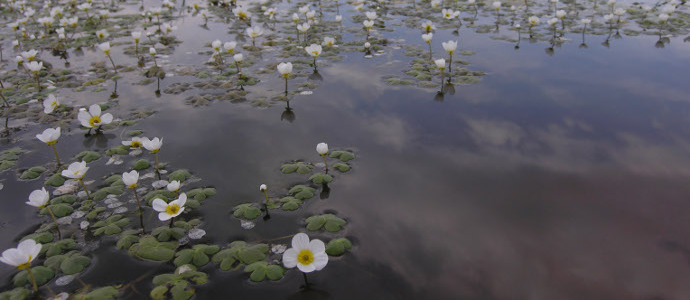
(559, 176)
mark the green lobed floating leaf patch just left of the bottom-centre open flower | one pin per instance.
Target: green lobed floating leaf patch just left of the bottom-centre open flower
(240, 253)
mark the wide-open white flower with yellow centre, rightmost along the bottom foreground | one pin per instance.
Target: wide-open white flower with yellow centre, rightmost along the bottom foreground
(307, 256)
